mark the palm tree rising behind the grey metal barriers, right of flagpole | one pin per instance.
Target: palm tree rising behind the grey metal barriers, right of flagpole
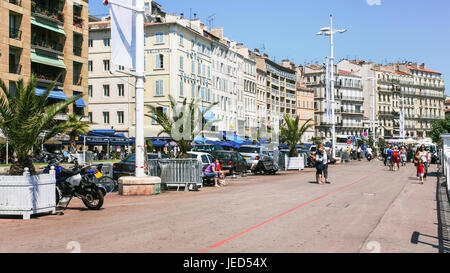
(183, 123)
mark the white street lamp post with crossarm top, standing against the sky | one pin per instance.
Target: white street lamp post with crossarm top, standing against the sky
(329, 31)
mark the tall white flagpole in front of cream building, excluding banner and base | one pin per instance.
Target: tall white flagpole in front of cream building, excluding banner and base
(140, 141)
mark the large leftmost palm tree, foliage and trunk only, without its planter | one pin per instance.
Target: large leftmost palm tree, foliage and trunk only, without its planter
(24, 116)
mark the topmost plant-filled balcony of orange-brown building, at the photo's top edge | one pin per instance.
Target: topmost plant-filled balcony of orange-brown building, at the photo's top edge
(48, 10)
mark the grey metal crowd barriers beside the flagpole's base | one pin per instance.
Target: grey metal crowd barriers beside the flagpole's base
(177, 172)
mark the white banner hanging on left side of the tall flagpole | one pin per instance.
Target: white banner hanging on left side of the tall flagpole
(123, 33)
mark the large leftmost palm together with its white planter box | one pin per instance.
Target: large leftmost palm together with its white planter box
(26, 120)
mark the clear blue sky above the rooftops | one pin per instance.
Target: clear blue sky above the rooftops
(381, 31)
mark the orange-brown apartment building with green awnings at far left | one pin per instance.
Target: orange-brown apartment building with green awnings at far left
(47, 38)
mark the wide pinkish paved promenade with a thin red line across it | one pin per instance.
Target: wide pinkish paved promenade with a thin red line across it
(366, 209)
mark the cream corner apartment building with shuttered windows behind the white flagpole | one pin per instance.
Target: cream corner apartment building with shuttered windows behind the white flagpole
(178, 54)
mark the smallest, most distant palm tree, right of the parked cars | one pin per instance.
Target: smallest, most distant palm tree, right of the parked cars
(292, 132)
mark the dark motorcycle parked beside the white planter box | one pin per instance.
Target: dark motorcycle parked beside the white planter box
(76, 183)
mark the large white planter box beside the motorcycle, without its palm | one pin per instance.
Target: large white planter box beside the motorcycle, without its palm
(26, 195)
